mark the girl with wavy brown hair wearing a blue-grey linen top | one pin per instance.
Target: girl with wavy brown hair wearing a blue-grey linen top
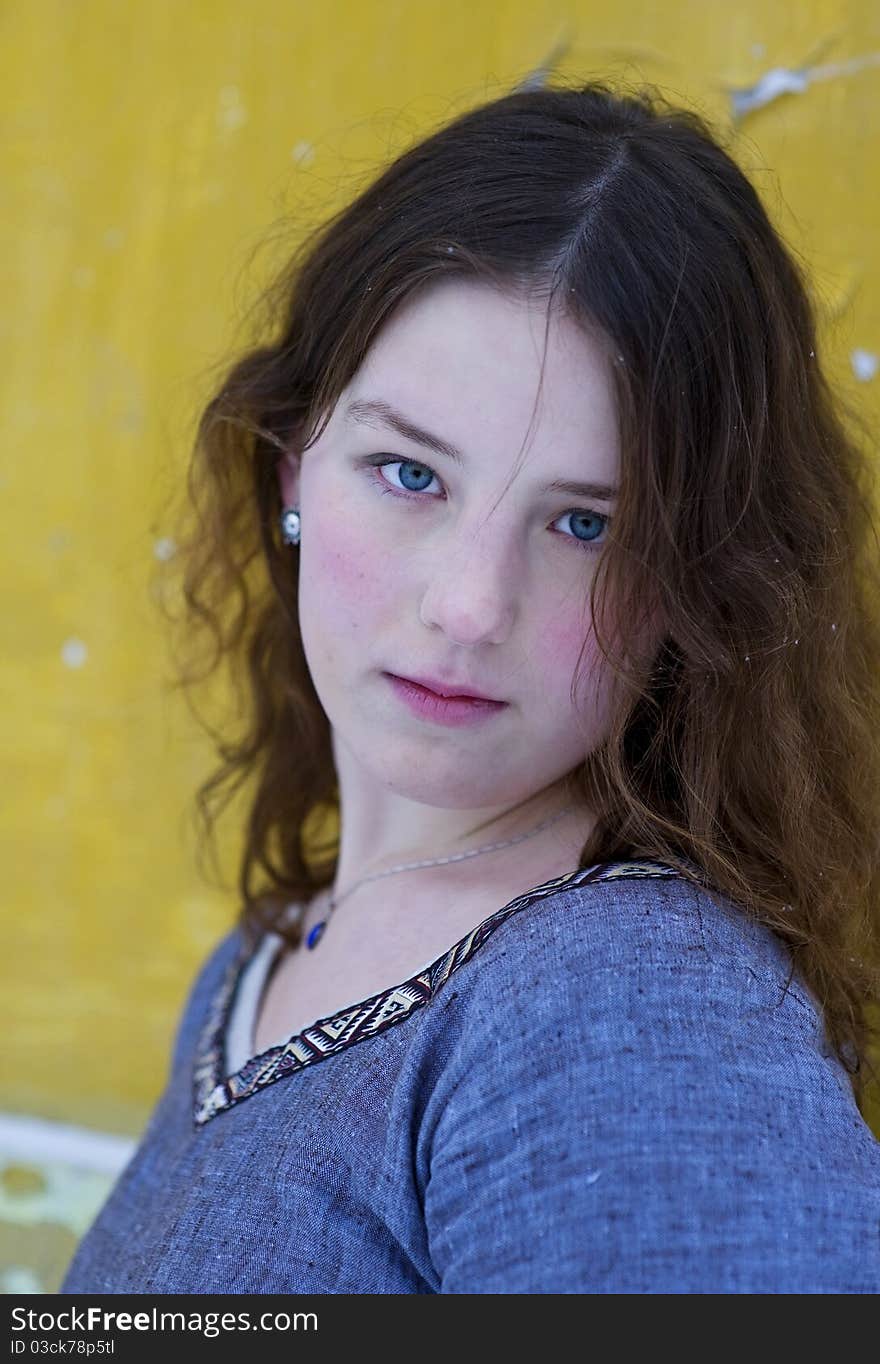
(551, 568)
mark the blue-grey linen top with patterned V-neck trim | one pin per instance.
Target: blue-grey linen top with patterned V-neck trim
(613, 1085)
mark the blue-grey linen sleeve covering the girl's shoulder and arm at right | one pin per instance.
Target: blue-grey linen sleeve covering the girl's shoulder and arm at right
(632, 1074)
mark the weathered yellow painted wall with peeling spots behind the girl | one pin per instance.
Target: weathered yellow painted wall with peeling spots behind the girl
(148, 151)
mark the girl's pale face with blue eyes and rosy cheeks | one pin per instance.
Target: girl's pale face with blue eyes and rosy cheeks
(417, 561)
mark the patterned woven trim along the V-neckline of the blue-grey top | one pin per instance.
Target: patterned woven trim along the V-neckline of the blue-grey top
(215, 1092)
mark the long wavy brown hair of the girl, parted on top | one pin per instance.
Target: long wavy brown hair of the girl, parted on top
(748, 747)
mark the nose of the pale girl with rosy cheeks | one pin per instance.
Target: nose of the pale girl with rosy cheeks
(474, 587)
